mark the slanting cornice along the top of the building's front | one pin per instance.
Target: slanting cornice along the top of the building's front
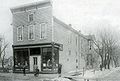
(31, 4)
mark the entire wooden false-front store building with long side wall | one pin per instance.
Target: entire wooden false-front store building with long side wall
(41, 40)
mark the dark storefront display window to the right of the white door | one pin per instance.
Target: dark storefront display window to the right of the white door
(50, 61)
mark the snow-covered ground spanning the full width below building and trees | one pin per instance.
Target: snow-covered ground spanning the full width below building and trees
(113, 73)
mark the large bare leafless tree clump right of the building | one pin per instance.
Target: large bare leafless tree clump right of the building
(107, 44)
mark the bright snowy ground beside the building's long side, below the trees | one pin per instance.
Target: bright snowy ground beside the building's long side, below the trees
(89, 74)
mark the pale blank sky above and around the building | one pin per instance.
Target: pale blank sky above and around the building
(84, 15)
